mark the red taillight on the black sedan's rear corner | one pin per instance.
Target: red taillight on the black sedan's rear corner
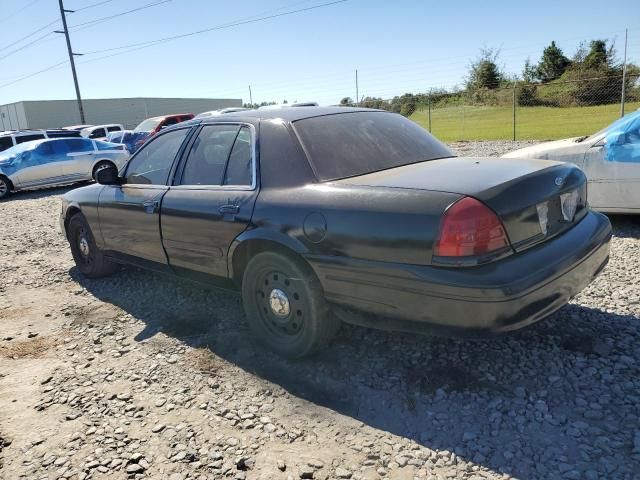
(469, 228)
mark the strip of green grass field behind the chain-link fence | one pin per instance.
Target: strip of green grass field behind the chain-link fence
(532, 123)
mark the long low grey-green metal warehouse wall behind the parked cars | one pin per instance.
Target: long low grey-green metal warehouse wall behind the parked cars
(127, 111)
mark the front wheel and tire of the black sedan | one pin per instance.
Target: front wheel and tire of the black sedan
(88, 257)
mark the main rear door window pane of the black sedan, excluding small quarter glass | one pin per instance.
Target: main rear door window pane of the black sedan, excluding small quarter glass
(209, 154)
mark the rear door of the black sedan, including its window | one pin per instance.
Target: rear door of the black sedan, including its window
(212, 200)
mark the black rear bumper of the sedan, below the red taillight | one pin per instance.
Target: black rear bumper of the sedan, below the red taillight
(477, 301)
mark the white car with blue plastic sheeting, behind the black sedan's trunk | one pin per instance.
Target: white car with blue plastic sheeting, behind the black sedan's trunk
(610, 158)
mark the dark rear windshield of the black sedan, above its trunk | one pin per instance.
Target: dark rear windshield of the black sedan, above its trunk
(356, 143)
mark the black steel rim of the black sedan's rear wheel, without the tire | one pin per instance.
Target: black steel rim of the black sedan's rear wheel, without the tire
(279, 303)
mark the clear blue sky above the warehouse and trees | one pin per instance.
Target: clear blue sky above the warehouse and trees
(397, 46)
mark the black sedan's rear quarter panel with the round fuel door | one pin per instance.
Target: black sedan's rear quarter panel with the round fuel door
(379, 224)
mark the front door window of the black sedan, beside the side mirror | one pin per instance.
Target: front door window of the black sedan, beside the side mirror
(152, 163)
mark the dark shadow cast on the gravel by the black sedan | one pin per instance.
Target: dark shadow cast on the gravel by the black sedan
(470, 397)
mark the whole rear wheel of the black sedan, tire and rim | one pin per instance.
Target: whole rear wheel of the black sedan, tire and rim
(306, 326)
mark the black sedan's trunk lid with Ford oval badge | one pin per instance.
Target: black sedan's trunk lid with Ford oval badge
(527, 194)
